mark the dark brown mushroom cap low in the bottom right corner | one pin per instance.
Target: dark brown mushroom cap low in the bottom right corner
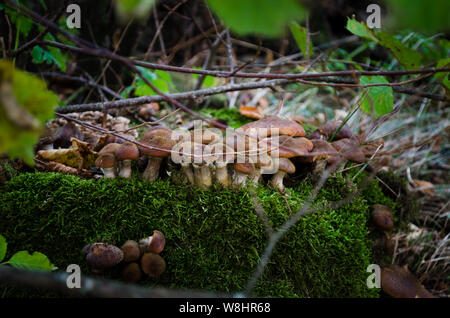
(398, 282)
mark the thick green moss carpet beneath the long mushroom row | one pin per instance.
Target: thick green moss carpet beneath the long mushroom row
(214, 238)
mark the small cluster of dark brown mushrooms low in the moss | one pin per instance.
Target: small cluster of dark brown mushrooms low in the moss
(137, 259)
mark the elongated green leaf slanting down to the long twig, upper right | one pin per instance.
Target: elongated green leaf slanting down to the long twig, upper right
(409, 58)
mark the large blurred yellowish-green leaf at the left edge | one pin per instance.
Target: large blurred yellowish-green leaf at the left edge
(30, 96)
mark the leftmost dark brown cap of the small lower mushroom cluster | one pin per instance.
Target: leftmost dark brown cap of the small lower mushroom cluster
(101, 256)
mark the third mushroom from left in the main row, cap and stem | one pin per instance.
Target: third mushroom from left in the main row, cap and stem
(160, 142)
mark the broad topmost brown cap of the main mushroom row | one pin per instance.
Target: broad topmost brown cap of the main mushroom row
(284, 126)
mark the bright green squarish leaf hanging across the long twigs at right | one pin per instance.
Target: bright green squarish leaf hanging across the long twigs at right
(380, 99)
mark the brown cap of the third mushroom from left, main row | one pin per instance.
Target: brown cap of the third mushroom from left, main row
(159, 137)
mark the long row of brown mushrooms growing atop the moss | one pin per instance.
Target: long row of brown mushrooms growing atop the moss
(268, 146)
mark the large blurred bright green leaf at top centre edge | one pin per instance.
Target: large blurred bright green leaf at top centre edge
(262, 17)
